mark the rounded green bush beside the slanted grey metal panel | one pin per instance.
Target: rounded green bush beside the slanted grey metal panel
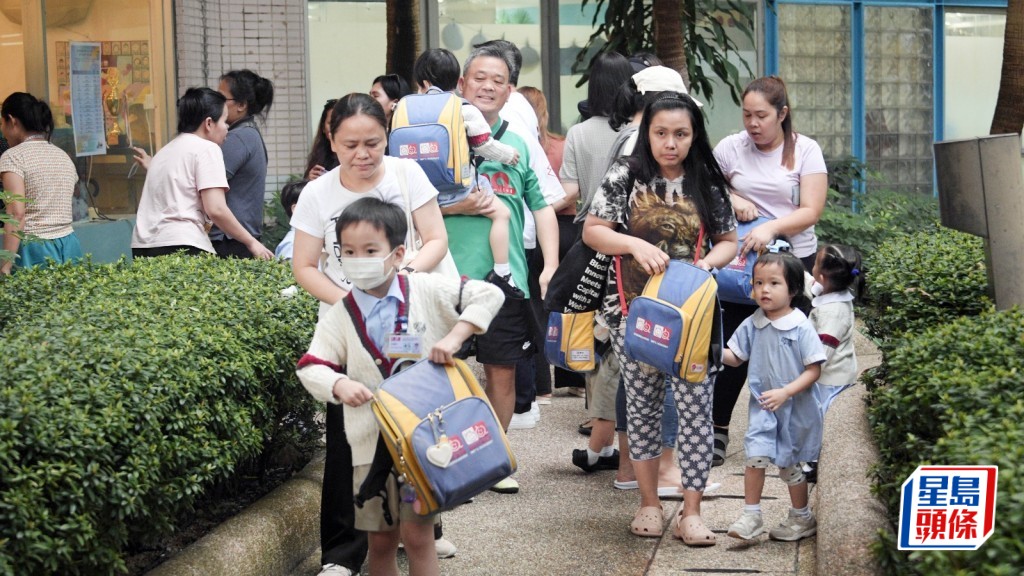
(925, 279)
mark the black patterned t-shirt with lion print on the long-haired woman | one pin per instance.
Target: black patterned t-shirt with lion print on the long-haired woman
(659, 213)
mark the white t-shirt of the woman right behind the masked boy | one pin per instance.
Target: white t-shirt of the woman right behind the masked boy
(325, 199)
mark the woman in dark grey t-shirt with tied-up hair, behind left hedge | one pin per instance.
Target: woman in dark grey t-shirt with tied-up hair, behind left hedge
(249, 97)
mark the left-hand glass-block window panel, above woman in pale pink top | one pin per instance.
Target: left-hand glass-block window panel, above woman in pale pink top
(818, 73)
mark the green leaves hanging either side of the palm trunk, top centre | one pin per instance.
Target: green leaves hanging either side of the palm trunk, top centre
(627, 28)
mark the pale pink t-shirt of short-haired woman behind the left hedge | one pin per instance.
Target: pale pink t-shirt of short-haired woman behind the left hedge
(170, 213)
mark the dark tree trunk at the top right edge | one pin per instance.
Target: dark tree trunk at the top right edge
(1009, 116)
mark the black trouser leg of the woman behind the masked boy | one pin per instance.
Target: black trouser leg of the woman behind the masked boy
(340, 543)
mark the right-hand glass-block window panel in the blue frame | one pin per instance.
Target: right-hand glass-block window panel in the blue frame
(900, 101)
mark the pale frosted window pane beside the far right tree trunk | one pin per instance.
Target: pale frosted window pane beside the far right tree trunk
(973, 63)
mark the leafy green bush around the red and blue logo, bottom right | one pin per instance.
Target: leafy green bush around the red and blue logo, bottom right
(953, 396)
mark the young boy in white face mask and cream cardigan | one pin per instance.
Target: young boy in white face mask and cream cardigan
(386, 318)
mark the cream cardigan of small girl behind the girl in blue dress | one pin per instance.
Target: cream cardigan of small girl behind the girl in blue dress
(833, 319)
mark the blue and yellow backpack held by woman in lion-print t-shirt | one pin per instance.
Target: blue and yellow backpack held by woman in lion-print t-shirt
(675, 324)
